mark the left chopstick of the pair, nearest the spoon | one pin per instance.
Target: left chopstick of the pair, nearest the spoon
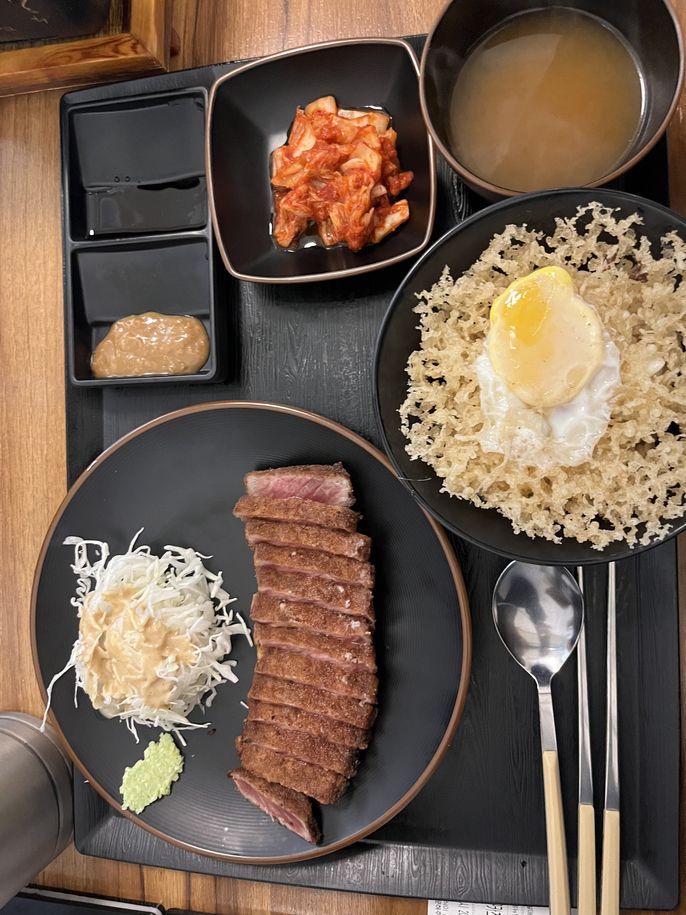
(586, 884)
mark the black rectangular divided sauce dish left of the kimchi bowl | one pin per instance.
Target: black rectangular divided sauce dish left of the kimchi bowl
(139, 236)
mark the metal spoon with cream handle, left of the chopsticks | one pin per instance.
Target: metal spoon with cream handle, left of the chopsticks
(538, 612)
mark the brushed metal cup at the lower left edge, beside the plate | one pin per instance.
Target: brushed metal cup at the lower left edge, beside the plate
(35, 800)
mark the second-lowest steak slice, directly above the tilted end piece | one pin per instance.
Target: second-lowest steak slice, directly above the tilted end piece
(323, 785)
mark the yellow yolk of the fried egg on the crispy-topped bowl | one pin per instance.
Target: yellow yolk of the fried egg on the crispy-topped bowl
(545, 341)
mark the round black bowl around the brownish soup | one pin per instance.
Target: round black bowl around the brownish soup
(648, 26)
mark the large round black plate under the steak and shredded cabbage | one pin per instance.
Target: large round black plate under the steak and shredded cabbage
(179, 477)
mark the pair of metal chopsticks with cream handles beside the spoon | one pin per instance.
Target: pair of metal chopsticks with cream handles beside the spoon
(586, 876)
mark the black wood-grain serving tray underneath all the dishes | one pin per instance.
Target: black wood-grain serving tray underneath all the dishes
(477, 830)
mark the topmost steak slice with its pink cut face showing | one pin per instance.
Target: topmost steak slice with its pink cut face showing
(320, 482)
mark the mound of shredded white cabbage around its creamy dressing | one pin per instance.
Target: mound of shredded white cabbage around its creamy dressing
(176, 590)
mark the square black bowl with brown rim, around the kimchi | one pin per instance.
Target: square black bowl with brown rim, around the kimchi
(250, 112)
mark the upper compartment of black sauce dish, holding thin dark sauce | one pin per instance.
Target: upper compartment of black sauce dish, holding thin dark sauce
(137, 166)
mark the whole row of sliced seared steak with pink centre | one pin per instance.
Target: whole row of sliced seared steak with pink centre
(313, 698)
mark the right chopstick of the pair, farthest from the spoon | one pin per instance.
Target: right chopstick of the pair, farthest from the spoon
(609, 887)
